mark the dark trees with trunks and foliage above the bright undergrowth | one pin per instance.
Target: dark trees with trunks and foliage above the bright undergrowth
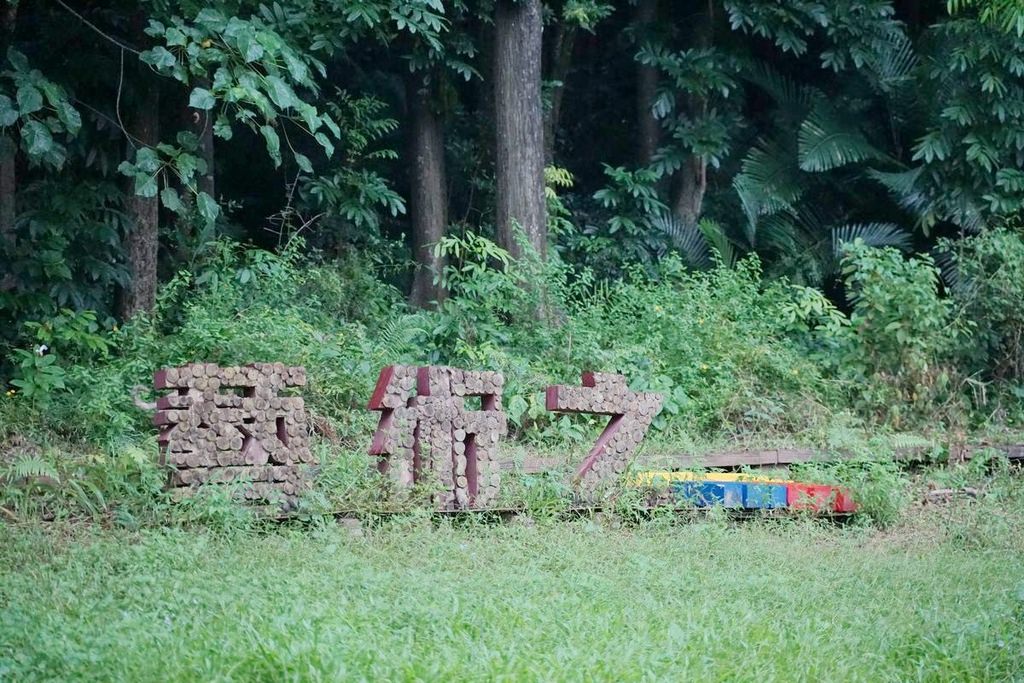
(603, 135)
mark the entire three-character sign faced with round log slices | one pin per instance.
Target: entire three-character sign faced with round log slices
(232, 426)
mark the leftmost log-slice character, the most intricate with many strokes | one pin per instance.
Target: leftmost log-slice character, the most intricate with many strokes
(228, 425)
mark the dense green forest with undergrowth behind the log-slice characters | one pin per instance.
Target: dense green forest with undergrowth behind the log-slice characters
(786, 217)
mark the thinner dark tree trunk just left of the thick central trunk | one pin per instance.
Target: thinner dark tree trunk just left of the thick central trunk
(429, 196)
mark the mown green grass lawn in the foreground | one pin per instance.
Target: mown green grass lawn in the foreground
(941, 597)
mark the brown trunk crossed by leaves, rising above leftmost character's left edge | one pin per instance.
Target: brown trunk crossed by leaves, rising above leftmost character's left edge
(143, 241)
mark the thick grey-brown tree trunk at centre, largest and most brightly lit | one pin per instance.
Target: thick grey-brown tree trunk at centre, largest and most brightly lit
(520, 126)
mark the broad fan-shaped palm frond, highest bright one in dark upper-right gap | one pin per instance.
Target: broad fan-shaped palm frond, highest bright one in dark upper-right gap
(827, 142)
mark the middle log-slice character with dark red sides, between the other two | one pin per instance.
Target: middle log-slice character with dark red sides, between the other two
(426, 434)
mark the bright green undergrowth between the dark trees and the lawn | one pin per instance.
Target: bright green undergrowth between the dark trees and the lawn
(740, 360)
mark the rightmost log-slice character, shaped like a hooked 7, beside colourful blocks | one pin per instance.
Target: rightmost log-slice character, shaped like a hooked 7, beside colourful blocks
(631, 413)
